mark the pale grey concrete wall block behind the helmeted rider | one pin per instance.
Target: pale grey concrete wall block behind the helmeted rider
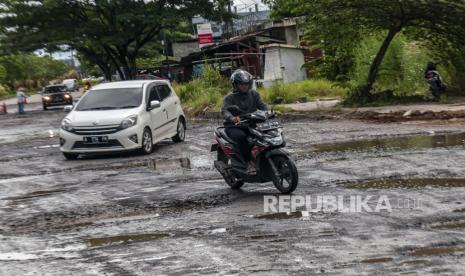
(283, 64)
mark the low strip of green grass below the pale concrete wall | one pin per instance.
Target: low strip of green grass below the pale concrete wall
(311, 89)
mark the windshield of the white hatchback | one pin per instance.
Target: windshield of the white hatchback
(105, 99)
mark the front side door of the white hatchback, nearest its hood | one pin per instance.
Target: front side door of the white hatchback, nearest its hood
(158, 117)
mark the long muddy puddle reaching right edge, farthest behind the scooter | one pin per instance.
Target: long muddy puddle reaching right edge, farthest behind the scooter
(396, 143)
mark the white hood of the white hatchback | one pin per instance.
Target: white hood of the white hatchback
(100, 117)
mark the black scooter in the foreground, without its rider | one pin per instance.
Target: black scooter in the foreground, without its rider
(266, 142)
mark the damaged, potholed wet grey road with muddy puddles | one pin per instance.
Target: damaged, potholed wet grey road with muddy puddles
(170, 213)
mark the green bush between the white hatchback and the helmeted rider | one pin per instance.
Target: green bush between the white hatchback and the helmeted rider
(207, 91)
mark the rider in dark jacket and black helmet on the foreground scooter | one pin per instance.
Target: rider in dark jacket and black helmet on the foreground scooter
(248, 101)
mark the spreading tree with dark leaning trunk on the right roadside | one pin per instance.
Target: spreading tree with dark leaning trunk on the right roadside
(426, 19)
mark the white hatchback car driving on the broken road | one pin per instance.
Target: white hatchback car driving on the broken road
(120, 116)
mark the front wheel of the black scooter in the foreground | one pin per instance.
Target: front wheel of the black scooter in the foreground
(288, 178)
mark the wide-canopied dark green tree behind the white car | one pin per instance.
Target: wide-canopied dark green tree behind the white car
(111, 33)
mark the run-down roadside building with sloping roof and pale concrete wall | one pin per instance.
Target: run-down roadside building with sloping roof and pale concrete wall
(255, 50)
